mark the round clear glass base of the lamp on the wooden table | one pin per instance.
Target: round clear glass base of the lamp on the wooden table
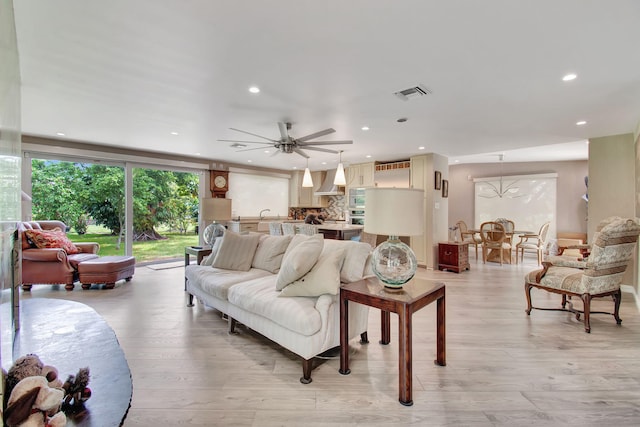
(393, 262)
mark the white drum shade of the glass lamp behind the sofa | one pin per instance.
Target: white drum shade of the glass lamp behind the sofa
(394, 211)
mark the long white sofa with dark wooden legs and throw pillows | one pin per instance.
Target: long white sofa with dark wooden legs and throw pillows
(284, 287)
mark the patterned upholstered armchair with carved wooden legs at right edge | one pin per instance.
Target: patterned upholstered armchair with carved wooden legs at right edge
(599, 275)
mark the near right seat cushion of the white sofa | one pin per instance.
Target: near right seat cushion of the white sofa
(259, 297)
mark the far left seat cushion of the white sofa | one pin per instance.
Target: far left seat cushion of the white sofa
(217, 281)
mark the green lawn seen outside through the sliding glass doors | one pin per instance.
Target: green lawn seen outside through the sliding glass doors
(157, 250)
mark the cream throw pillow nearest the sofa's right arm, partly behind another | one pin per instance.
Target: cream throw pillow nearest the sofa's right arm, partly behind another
(323, 278)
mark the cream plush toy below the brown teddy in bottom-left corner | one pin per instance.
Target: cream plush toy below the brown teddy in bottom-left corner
(34, 404)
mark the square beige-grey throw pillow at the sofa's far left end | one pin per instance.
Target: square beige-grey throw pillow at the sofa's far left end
(236, 251)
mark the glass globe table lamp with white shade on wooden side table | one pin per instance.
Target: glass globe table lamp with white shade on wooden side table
(394, 212)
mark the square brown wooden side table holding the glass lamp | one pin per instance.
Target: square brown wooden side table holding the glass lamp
(414, 295)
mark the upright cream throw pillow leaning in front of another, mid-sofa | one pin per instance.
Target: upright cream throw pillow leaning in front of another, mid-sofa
(298, 261)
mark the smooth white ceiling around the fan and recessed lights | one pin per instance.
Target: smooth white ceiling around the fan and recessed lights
(128, 73)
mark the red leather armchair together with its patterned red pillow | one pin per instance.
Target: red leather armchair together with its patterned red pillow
(49, 257)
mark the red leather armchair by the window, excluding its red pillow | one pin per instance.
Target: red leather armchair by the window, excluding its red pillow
(51, 265)
